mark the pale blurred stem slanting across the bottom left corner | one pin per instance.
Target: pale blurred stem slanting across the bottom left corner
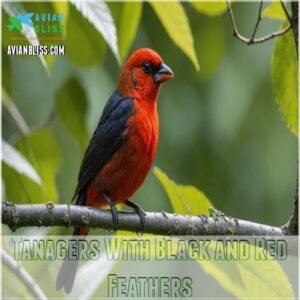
(23, 275)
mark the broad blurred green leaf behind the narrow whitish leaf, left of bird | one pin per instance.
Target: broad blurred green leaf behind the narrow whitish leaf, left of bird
(42, 151)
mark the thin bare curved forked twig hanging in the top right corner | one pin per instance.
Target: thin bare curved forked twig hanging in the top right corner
(252, 40)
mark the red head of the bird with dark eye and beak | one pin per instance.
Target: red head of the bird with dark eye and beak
(142, 75)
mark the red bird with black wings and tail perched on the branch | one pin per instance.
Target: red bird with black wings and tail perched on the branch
(123, 146)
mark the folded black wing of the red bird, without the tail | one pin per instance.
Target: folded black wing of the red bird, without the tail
(106, 140)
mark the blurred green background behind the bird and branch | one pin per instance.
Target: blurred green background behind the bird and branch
(220, 129)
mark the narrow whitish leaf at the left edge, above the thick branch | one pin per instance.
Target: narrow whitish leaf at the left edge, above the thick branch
(18, 162)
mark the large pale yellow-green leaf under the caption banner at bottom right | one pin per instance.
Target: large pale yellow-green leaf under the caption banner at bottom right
(251, 278)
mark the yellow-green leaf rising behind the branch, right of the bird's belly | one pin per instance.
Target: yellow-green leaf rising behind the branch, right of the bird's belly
(184, 199)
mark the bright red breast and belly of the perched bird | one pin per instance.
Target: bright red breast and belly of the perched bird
(126, 171)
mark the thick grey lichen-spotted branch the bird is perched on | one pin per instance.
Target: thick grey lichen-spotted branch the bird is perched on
(16, 216)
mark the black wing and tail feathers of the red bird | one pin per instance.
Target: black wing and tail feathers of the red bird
(106, 140)
